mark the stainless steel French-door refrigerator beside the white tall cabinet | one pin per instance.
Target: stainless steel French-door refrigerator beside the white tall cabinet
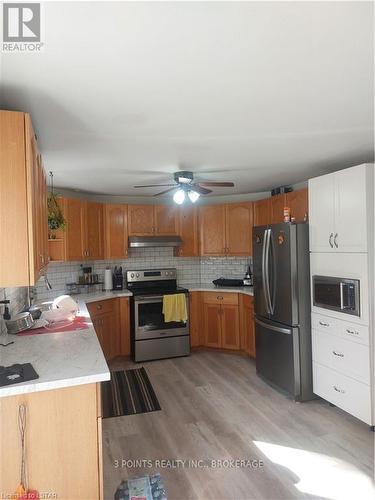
(282, 307)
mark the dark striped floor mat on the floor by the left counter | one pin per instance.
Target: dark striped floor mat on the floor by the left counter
(127, 393)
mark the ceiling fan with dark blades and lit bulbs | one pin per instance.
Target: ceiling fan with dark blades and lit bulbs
(184, 184)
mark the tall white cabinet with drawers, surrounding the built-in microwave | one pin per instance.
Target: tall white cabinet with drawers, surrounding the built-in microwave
(341, 213)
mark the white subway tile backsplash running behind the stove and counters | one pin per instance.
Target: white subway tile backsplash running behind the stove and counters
(190, 270)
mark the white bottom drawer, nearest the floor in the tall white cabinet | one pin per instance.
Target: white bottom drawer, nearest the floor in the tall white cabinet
(346, 393)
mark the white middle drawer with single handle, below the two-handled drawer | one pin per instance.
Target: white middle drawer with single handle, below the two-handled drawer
(351, 359)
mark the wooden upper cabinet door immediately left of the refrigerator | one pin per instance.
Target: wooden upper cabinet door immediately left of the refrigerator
(238, 228)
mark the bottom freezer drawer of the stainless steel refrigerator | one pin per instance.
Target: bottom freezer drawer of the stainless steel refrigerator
(277, 358)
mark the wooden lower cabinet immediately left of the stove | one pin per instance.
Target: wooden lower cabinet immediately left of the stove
(110, 318)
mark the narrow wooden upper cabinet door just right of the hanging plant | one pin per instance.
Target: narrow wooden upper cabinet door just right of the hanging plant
(75, 229)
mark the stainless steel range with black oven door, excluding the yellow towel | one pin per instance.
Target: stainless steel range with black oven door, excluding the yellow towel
(151, 336)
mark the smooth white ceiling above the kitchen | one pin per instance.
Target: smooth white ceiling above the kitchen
(260, 93)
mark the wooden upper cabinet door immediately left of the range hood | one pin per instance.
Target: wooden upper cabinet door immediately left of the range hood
(116, 231)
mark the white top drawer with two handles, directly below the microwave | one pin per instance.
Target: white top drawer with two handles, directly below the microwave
(344, 329)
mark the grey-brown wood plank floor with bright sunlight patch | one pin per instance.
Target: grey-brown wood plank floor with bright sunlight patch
(215, 407)
